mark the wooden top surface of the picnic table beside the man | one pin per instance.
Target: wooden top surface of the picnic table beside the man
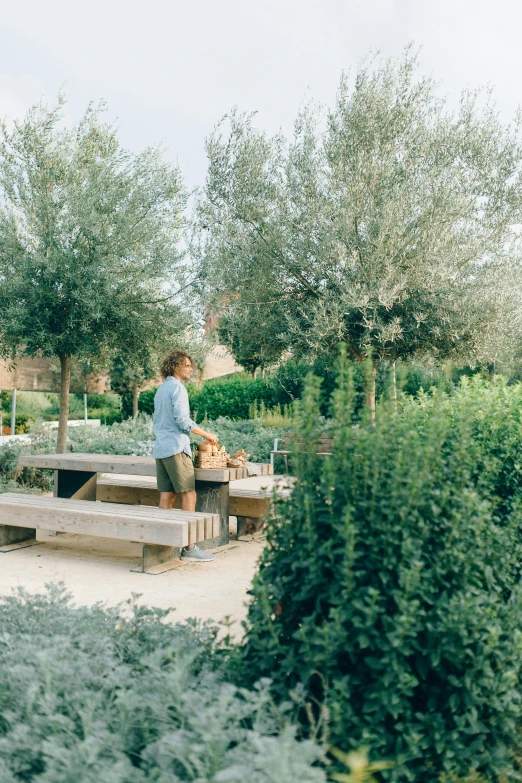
(111, 463)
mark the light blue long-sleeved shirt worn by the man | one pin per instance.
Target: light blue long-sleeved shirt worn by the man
(172, 422)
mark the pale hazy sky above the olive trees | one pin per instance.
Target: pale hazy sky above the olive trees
(170, 70)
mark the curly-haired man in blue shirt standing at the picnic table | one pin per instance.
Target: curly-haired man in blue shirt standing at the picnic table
(172, 425)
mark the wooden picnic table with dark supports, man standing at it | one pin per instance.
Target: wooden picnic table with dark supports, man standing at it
(75, 476)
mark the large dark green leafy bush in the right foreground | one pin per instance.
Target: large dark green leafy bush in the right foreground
(390, 585)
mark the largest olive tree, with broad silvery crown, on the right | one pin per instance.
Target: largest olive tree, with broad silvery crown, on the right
(388, 224)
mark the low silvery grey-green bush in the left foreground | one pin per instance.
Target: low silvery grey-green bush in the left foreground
(113, 696)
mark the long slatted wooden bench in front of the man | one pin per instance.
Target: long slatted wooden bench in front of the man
(162, 533)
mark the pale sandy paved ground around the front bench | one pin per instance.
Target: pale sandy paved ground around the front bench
(95, 569)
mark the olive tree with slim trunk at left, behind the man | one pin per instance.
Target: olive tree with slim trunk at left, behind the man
(89, 232)
